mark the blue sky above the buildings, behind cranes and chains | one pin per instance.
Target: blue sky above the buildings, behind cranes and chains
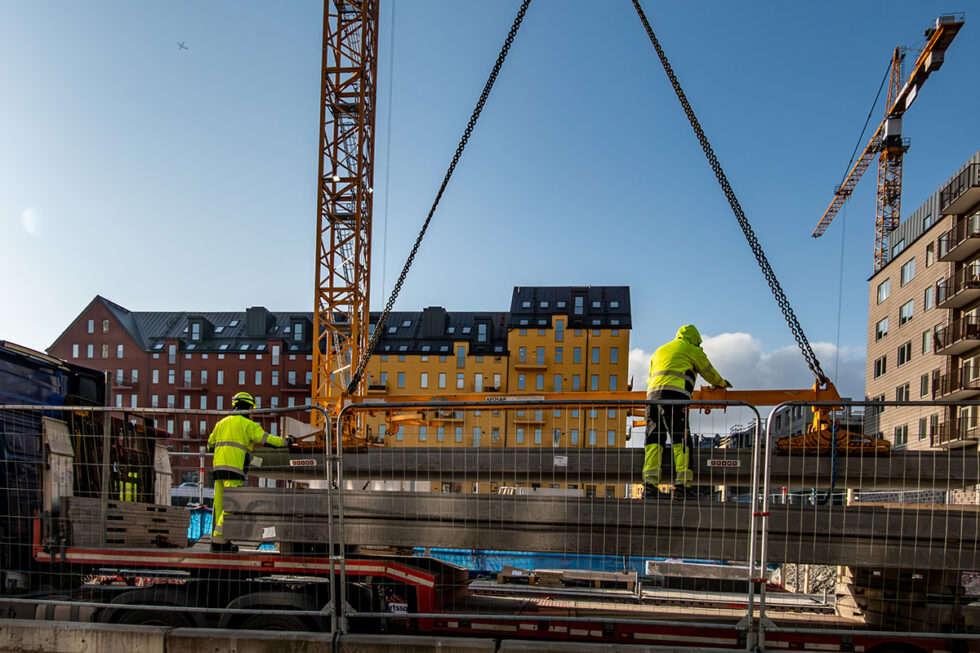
(168, 179)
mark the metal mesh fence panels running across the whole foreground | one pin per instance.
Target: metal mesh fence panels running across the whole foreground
(505, 519)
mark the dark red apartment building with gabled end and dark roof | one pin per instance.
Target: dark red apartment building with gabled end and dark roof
(192, 361)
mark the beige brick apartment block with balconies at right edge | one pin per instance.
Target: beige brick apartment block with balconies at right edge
(924, 320)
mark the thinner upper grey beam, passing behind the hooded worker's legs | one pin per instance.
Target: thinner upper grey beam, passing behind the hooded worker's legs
(908, 470)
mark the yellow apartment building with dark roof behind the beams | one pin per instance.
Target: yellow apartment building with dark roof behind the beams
(569, 340)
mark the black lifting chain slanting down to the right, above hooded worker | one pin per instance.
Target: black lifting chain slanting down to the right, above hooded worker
(760, 256)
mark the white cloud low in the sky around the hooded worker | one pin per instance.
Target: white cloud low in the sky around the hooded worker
(740, 358)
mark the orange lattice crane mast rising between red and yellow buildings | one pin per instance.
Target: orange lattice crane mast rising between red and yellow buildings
(348, 87)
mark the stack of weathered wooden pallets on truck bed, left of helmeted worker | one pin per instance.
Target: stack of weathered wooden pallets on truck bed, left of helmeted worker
(127, 524)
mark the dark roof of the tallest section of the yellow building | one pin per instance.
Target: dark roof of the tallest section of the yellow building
(586, 306)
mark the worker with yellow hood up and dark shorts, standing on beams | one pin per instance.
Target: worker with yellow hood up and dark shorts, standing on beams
(674, 369)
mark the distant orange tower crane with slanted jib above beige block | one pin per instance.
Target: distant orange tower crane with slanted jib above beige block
(887, 141)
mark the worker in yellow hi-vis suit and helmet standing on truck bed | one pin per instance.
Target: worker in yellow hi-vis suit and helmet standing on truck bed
(232, 441)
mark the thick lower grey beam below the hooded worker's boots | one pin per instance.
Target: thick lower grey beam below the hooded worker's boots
(876, 536)
